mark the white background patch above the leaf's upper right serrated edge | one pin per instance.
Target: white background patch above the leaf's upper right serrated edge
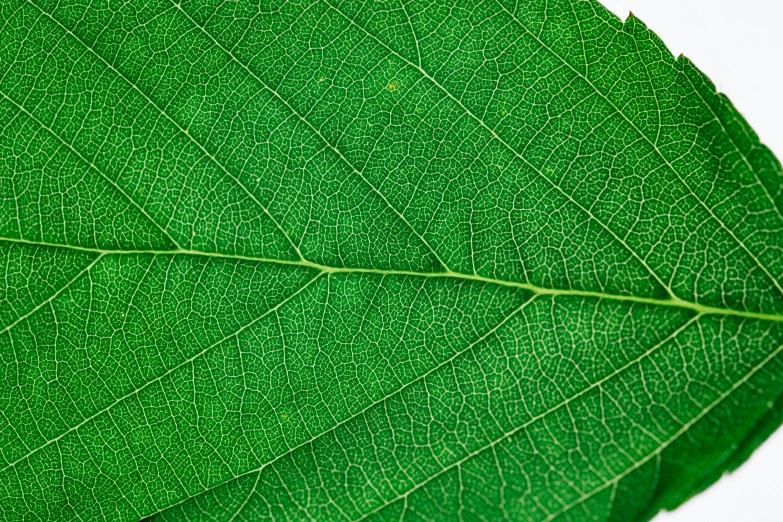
(737, 43)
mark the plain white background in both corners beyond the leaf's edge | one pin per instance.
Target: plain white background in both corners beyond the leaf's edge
(739, 45)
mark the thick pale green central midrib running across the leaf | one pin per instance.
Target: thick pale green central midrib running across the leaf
(675, 302)
